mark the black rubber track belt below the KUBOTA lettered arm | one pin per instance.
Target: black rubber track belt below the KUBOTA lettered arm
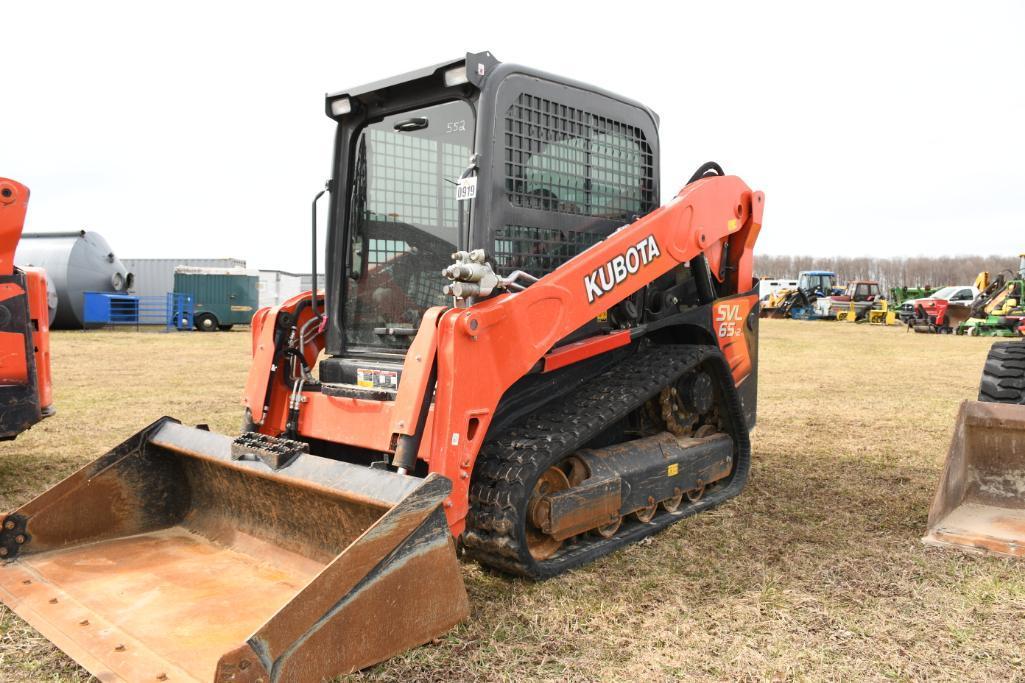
(511, 462)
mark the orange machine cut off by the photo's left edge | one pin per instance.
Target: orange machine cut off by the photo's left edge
(26, 395)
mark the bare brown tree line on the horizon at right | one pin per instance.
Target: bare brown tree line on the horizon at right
(897, 272)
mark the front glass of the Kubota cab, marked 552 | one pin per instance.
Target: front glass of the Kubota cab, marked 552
(404, 220)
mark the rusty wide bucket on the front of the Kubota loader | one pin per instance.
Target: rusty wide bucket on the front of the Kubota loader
(170, 560)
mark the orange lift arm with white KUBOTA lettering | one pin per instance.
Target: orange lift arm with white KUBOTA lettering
(504, 338)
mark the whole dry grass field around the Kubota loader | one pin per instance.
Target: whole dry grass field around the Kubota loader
(815, 573)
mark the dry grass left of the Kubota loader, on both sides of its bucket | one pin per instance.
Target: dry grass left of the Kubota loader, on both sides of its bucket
(107, 387)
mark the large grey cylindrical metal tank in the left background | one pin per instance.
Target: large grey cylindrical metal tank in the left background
(75, 263)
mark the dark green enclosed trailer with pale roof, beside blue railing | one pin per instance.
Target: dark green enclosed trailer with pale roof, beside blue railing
(223, 297)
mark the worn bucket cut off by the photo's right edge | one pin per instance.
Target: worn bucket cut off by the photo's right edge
(980, 504)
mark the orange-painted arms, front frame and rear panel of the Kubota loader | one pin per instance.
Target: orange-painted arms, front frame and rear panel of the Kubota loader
(482, 350)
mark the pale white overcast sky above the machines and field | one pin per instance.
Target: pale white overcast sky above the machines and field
(197, 130)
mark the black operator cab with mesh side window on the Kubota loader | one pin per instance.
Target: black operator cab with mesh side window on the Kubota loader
(472, 154)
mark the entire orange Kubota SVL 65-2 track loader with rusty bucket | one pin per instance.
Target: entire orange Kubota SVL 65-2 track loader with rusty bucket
(586, 379)
